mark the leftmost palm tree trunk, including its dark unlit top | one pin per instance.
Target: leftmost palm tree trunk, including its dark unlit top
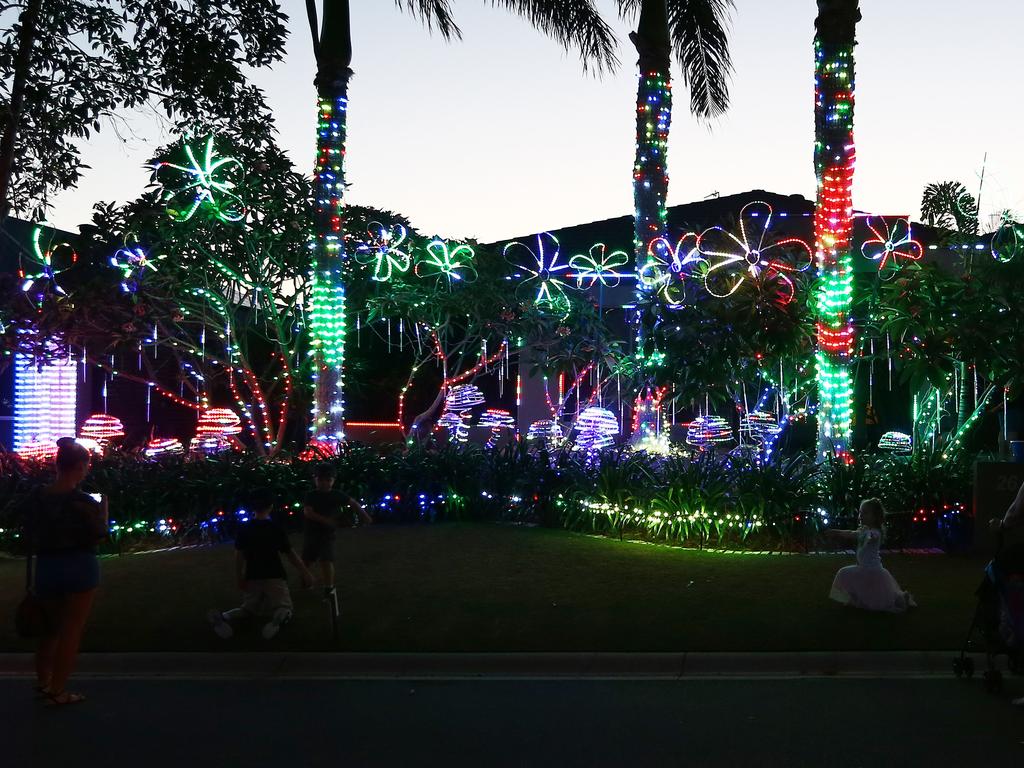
(329, 259)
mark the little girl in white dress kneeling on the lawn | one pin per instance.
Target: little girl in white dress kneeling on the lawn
(868, 585)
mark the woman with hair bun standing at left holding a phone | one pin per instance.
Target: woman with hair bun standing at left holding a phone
(65, 526)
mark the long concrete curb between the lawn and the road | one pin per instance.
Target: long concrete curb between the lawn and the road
(497, 666)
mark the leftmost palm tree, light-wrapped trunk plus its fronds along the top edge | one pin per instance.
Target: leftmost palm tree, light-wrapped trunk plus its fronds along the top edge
(571, 23)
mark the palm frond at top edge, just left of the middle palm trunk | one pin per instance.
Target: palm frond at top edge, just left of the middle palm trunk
(574, 24)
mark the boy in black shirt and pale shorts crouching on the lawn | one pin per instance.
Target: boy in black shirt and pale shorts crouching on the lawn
(260, 545)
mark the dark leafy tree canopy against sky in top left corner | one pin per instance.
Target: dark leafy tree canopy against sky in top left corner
(69, 66)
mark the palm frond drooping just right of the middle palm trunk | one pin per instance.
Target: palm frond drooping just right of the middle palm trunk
(700, 33)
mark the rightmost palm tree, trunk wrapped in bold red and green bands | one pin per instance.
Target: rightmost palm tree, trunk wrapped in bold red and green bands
(834, 161)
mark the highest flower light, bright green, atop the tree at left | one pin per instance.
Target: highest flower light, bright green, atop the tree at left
(201, 185)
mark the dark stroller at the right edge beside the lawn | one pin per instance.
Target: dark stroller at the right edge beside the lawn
(999, 618)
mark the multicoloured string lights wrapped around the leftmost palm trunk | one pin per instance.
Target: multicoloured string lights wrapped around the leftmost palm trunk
(327, 314)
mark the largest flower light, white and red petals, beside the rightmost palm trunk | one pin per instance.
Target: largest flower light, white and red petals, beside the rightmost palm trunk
(731, 260)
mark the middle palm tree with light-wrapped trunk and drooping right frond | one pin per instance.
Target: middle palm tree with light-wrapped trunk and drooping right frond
(697, 32)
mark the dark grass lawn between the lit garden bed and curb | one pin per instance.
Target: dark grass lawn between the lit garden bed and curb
(493, 588)
